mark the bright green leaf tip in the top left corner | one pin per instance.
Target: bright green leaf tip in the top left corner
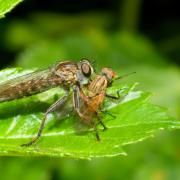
(7, 5)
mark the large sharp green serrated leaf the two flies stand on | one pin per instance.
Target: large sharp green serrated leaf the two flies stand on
(135, 120)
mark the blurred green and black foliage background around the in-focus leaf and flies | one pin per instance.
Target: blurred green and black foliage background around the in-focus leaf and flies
(126, 35)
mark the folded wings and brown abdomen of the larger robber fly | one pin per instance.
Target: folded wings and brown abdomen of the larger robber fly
(24, 85)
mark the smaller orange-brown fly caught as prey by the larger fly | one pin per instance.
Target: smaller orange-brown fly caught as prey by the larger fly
(88, 105)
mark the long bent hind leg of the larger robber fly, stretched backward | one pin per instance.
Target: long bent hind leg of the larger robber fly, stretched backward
(52, 108)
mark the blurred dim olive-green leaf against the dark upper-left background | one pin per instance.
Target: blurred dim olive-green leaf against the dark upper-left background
(50, 26)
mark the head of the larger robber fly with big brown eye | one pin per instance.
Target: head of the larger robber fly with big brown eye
(85, 71)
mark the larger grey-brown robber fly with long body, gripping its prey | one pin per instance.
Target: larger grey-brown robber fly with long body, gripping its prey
(64, 74)
